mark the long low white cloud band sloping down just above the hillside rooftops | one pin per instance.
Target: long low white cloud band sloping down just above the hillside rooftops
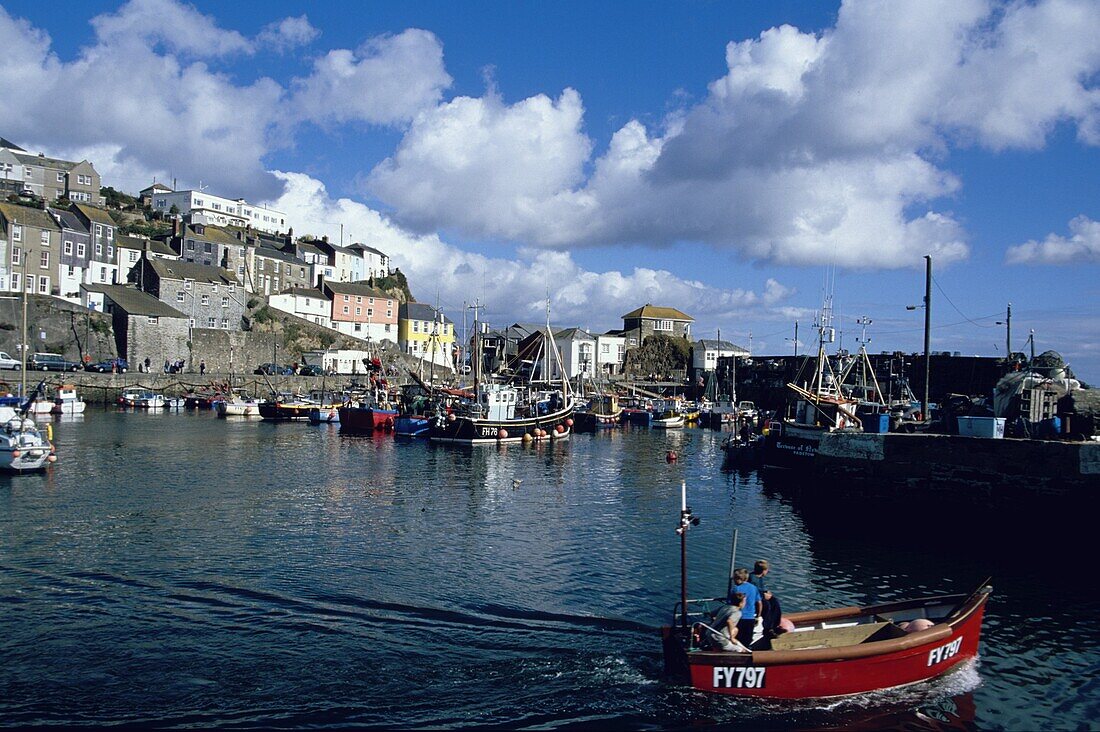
(580, 297)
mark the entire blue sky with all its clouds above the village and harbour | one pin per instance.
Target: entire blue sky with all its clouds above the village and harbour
(721, 158)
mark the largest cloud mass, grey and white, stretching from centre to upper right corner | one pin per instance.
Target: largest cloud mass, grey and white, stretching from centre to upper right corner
(812, 149)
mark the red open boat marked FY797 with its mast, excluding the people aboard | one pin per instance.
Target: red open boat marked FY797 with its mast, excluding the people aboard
(826, 653)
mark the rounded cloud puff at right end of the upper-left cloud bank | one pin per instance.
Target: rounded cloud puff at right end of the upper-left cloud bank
(389, 80)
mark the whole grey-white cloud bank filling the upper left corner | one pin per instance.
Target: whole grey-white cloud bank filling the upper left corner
(151, 92)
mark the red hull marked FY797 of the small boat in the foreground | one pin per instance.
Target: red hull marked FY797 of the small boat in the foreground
(822, 673)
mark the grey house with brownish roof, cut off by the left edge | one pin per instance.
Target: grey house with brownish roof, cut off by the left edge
(30, 241)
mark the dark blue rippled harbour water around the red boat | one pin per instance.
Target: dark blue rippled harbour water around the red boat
(175, 570)
